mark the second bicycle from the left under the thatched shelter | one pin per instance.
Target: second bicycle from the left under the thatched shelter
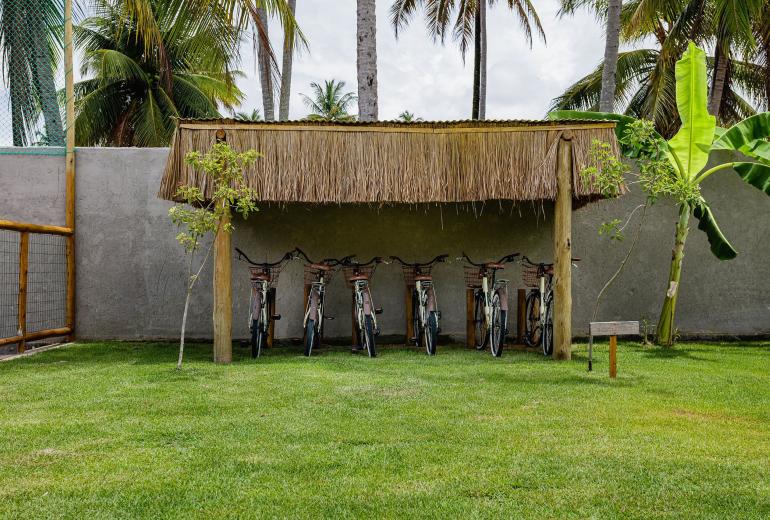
(317, 275)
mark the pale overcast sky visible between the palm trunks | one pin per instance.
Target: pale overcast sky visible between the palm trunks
(429, 79)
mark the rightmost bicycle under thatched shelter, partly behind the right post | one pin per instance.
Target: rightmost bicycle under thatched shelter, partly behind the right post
(539, 304)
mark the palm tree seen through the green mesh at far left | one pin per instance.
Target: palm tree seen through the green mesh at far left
(31, 43)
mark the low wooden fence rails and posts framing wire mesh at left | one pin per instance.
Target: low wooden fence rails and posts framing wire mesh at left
(23, 335)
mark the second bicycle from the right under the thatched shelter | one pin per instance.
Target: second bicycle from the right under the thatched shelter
(490, 302)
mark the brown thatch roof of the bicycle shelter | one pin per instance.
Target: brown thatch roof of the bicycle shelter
(390, 162)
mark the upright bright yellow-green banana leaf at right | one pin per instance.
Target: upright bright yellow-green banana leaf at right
(692, 143)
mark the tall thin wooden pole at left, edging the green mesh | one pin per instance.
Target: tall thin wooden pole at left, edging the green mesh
(69, 164)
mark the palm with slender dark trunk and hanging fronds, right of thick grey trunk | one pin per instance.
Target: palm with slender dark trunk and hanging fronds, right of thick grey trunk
(470, 22)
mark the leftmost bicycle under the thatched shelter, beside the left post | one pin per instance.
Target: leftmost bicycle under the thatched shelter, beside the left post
(263, 277)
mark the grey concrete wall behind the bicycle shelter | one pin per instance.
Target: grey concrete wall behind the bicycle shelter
(131, 274)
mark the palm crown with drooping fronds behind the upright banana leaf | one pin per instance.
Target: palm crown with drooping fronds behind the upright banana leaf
(645, 78)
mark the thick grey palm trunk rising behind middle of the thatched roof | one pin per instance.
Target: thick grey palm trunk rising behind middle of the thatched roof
(367, 60)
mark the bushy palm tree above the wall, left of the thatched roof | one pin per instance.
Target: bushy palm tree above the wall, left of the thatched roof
(131, 99)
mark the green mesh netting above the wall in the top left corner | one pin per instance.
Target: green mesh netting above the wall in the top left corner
(32, 100)
